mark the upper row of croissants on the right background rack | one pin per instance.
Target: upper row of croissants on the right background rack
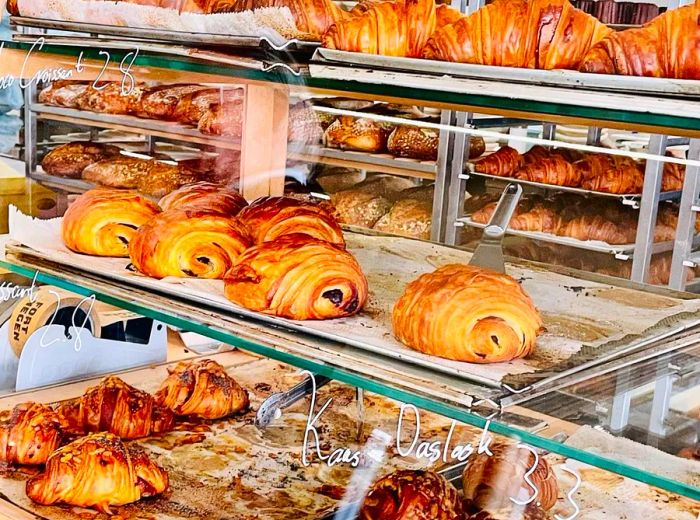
(561, 167)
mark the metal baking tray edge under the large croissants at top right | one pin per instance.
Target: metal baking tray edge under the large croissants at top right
(556, 78)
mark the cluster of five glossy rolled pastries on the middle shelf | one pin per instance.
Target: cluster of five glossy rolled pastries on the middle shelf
(278, 255)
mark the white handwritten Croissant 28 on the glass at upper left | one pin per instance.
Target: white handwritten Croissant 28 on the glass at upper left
(128, 82)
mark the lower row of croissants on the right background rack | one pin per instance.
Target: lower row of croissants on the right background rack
(583, 218)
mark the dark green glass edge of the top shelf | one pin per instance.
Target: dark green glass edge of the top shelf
(417, 94)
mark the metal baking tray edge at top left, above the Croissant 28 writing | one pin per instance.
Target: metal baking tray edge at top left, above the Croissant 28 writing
(168, 36)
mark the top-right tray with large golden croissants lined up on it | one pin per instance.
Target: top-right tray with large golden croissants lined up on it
(528, 41)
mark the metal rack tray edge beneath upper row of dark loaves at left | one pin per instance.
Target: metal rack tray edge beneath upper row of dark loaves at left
(166, 129)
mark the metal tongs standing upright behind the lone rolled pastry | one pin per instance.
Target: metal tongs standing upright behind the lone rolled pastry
(489, 252)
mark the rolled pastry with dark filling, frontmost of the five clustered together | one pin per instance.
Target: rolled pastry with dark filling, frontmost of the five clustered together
(297, 277)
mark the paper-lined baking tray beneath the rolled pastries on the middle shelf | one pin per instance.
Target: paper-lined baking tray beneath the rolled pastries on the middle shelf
(577, 312)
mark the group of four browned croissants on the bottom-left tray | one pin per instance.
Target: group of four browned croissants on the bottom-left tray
(81, 442)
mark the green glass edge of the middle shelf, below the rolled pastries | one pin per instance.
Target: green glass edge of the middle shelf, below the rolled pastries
(350, 378)
